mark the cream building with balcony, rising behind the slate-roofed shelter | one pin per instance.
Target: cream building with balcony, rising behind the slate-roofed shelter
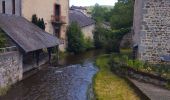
(54, 13)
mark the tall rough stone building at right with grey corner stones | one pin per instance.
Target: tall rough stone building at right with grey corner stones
(151, 29)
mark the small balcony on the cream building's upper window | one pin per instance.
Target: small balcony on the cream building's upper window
(58, 19)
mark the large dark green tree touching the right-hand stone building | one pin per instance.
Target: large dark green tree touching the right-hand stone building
(122, 14)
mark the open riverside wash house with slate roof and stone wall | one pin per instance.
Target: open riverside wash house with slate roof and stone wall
(28, 42)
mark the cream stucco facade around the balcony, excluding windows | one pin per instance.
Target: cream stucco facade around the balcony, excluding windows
(46, 10)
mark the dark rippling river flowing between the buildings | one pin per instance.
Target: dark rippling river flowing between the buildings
(71, 81)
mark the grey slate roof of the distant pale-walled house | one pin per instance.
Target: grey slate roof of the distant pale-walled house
(80, 18)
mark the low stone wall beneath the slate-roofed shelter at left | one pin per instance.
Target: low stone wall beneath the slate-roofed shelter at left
(10, 68)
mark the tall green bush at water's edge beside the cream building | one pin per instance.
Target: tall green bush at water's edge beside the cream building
(75, 39)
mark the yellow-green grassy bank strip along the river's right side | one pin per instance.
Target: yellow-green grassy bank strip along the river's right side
(108, 86)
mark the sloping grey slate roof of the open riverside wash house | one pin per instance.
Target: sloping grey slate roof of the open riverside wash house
(26, 35)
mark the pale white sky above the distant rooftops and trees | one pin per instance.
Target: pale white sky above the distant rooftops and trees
(92, 2)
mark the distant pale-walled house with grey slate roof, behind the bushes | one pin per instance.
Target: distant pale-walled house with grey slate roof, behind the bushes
(86, 24)
